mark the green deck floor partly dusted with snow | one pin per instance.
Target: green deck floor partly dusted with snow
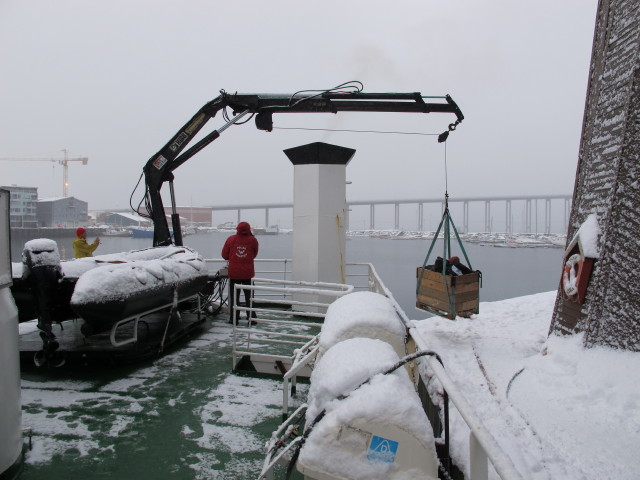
(182, 415)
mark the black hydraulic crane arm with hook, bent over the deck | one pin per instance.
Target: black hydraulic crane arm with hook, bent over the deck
(160, 166)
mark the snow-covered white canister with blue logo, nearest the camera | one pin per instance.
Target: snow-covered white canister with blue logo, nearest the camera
(365, 424)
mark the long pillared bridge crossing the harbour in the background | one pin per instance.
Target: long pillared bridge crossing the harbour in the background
(509, 214)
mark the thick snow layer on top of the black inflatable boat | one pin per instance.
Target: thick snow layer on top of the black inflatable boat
(117, 281)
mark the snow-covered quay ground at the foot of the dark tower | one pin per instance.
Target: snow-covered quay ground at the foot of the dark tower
(557, 409)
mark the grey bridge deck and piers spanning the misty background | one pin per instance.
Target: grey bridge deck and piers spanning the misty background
(529, 216)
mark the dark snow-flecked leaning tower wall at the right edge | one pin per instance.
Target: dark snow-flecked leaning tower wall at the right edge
(607, 184)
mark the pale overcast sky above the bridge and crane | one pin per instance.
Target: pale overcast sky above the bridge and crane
(114, 80)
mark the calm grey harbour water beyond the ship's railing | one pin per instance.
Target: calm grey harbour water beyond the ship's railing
(507, 272)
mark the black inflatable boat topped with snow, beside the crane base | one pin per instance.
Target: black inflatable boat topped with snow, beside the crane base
(103, 289)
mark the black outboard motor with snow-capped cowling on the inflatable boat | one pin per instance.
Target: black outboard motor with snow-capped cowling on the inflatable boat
(43, 272)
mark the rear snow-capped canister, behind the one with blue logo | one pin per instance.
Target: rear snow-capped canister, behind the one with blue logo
(362, 314)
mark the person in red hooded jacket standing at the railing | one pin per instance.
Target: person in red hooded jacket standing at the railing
(240, 250)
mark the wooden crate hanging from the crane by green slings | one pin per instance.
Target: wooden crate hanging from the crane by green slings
(448, 295)
